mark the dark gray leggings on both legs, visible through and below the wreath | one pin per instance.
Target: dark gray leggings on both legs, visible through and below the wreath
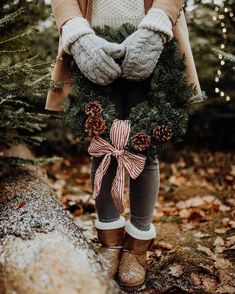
(143, 190)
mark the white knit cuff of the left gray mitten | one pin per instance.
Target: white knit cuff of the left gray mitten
(73, 30)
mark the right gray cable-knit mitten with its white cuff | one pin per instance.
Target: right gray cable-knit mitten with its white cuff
(144, 46)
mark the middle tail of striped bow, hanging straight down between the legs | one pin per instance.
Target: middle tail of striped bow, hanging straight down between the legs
(118, 186)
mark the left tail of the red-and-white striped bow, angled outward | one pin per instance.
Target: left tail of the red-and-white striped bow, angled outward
(100, 172)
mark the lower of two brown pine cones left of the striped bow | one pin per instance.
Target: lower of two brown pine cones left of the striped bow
(95, 126)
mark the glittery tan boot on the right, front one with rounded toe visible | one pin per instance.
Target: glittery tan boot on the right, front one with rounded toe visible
(133, 262)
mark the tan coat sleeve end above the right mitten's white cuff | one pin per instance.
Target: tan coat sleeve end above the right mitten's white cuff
(172, 8)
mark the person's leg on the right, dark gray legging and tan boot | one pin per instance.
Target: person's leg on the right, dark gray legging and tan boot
(140, 232)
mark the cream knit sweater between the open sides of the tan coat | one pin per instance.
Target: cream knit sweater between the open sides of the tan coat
(116, 12)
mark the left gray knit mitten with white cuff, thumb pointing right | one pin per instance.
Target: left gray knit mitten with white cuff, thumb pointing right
(93, 55)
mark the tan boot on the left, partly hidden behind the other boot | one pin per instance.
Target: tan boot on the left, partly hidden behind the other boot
(111, 236)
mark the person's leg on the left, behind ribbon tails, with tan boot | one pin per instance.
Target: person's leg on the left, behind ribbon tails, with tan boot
(110, 225)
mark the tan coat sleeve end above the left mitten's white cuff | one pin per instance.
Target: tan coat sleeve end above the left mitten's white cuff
(64, 10)
